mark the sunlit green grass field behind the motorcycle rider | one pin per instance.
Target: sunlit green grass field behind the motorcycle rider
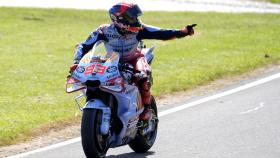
(37, 47)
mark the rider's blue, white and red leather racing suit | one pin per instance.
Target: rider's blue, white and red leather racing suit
(128, 45)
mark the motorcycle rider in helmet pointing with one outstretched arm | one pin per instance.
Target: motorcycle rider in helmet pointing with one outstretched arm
(123, 35)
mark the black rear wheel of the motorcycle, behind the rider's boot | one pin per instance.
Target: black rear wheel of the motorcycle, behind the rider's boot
(142, 143)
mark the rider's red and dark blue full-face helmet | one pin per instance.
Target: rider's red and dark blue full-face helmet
(125, 17)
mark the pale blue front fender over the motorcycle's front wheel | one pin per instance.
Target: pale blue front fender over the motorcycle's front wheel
(106, 114)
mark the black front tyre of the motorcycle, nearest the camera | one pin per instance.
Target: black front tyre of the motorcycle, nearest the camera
(94, 144)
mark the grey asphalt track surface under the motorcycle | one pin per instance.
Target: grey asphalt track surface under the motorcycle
(241, 121)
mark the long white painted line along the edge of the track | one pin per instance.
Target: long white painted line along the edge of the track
(166, 112)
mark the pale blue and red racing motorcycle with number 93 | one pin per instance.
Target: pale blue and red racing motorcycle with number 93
(113, 103)
